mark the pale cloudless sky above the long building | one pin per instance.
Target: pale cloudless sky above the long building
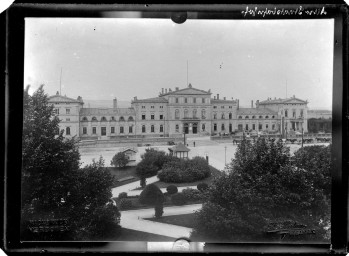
(103, 58)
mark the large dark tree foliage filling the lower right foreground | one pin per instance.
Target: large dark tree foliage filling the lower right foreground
(262, 187)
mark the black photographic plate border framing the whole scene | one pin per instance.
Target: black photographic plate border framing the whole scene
(12, 22)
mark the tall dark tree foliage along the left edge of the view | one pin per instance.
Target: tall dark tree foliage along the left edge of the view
(53, 185)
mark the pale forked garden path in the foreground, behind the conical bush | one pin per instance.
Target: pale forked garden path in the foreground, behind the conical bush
(134, 219)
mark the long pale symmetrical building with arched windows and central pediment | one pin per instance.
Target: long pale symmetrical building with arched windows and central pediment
(174, 112)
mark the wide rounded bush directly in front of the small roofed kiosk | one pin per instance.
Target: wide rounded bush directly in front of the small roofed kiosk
(180, 170)
